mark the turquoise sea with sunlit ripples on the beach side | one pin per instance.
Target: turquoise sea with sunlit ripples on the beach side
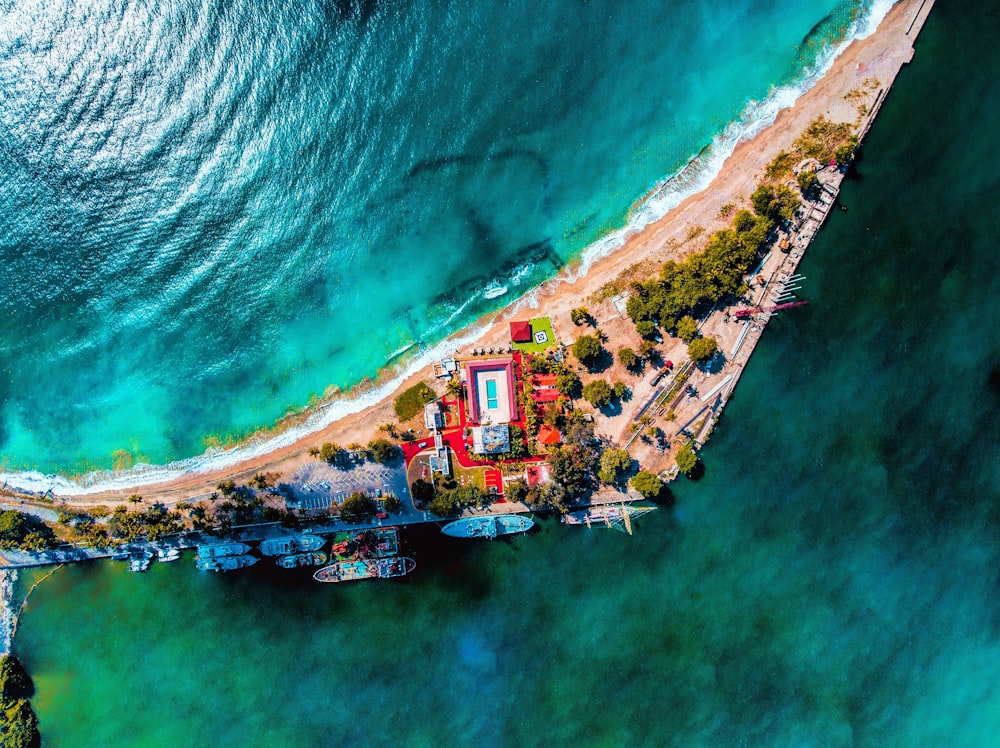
(212, 212)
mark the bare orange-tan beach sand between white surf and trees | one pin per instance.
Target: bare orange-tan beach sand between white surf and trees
(680, 232)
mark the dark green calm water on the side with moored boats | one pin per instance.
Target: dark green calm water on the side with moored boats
(831, 581)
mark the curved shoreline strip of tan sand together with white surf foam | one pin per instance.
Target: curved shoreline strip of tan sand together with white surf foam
(663, 238)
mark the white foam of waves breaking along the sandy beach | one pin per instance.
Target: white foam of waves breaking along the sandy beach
(693, 178)
